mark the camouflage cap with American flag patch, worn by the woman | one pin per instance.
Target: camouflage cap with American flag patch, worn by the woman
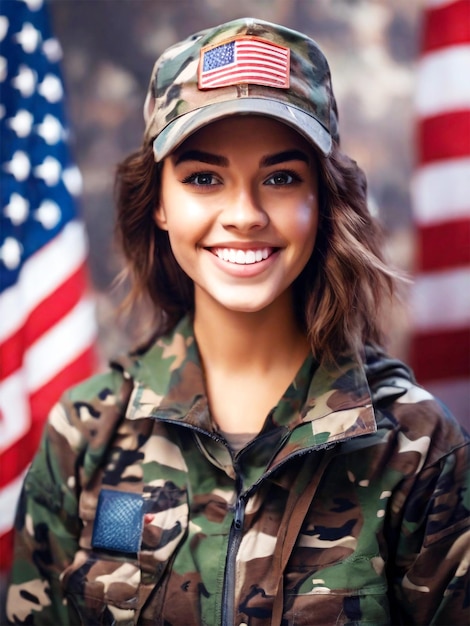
(247, 66)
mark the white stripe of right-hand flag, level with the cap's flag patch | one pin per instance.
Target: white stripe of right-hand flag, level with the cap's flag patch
(443, 81)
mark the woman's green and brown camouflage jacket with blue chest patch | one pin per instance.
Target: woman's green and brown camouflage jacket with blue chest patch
(349, 507)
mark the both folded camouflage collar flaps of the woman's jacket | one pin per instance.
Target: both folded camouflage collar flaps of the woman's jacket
(169, 385)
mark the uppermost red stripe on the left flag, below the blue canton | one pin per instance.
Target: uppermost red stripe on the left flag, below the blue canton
(44, 317)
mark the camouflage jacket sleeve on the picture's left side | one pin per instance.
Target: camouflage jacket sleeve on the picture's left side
(46, 528)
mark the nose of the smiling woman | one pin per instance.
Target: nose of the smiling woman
(244, 211)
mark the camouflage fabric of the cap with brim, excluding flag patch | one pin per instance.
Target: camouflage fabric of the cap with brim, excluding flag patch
(175, 106)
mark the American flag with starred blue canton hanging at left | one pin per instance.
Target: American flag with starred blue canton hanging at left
(47, 321)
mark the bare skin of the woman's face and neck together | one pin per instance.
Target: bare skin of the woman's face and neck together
(243, 187)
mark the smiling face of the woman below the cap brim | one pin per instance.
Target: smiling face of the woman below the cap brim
(239, 200)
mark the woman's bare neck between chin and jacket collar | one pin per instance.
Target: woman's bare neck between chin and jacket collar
(249, 359)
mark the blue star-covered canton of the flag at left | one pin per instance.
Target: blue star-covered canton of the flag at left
(37, 176)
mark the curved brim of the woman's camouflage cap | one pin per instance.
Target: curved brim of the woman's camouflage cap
(182, 127)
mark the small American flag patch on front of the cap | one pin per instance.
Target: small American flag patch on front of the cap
(244, 60)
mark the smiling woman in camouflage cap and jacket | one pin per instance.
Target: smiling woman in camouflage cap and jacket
(262, 461)
